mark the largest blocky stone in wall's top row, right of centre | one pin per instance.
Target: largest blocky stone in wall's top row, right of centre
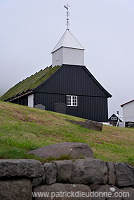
(89, 171)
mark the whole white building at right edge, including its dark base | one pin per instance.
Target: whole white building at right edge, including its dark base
(128, 113)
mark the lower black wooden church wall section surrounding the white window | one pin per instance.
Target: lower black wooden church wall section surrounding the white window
(88, 107)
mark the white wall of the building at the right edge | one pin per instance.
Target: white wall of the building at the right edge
(128, 112)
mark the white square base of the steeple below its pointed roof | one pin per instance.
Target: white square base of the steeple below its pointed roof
(68, 56)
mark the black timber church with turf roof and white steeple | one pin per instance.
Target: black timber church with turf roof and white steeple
(66, 87)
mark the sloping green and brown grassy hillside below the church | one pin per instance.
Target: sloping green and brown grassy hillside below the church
(23, 129)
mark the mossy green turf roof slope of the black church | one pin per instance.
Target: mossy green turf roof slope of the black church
(29, 83)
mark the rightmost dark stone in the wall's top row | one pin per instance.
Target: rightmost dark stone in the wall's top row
(124, 175)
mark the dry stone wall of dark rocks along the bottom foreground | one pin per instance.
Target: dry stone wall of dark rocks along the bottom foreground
(27, 179)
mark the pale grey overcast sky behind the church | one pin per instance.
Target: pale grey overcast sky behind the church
(29, 30)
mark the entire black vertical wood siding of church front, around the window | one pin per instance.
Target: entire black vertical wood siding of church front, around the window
(74, 80)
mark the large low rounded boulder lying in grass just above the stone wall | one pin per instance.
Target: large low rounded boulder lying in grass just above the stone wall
(71, 149)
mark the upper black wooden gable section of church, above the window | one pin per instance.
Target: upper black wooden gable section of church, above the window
(72, 80)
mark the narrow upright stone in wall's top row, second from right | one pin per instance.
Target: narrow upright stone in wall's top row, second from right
(111, 173)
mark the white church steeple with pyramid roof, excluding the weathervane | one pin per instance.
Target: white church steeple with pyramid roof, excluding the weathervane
(68, 51)
